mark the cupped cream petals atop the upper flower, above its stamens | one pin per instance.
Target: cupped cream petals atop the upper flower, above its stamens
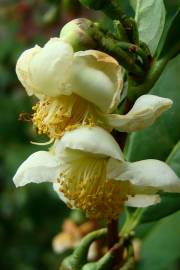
(55, 70)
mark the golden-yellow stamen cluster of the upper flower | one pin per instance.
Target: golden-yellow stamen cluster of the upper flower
(52, 116)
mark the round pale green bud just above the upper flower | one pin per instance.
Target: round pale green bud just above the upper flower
(76, 33)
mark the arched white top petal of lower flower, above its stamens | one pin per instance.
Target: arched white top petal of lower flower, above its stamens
(93, 140)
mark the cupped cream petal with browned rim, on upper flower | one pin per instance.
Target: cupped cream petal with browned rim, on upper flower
(97, 77)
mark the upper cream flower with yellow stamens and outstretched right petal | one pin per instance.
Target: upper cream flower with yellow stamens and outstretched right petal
(81, 88)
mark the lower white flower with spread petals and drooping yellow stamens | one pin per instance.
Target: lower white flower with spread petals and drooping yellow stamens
(88, 170)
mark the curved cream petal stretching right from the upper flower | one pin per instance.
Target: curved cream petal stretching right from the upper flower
(143, 114)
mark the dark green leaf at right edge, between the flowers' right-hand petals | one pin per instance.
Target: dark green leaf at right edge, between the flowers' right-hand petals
(158, 140)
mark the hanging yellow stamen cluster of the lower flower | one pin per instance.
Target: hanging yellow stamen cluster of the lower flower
(83, 182)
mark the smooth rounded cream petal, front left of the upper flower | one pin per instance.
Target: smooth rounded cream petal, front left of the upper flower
(50, 68)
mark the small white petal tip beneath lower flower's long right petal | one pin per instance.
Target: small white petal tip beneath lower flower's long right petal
(142, 200)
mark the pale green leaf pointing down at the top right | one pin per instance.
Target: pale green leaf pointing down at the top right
(150, 18)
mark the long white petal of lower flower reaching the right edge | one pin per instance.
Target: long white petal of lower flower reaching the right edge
(145, 173)
